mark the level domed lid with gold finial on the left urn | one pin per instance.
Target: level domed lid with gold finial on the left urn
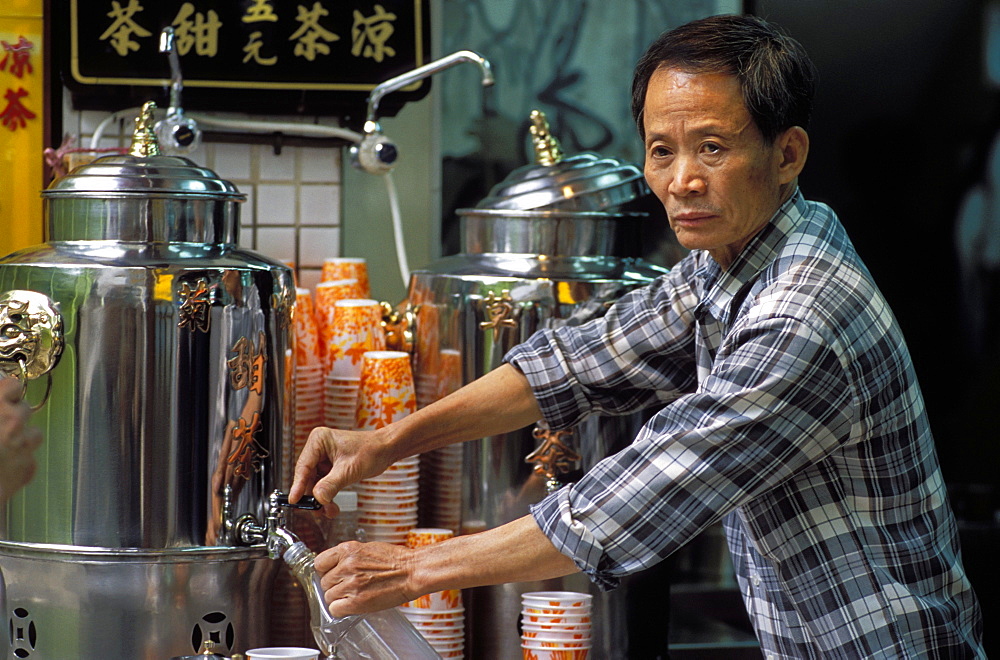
(143, 172)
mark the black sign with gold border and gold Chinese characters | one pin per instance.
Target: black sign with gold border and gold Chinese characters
(313, 57)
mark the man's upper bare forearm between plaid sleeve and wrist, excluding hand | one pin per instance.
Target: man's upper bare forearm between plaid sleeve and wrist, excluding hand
(499, 402)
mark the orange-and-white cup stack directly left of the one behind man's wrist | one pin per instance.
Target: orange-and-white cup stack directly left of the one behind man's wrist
(356, 329)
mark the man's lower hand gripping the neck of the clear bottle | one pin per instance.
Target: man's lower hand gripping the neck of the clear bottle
(358, 578)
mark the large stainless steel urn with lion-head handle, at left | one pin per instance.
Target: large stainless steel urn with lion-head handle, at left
(157, 353)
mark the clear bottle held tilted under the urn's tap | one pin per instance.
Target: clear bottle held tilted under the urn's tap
(385, 635)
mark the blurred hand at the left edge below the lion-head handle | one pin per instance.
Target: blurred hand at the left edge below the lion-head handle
(17, 441)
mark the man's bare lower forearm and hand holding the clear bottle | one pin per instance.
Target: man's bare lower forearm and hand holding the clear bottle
(367, 577)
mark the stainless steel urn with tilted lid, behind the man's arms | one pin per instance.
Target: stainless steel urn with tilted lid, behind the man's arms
(541, 251)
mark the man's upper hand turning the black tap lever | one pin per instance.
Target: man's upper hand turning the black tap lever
(334, 459)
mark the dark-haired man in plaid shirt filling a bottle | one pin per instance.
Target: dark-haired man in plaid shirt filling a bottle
(787, 401)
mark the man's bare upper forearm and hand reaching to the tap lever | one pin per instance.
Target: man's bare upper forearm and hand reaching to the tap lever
(499, 402)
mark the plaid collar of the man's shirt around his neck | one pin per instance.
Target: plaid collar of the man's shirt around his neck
(721, 286)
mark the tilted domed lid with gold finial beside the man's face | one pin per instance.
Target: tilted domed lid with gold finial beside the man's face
(584, 182)
